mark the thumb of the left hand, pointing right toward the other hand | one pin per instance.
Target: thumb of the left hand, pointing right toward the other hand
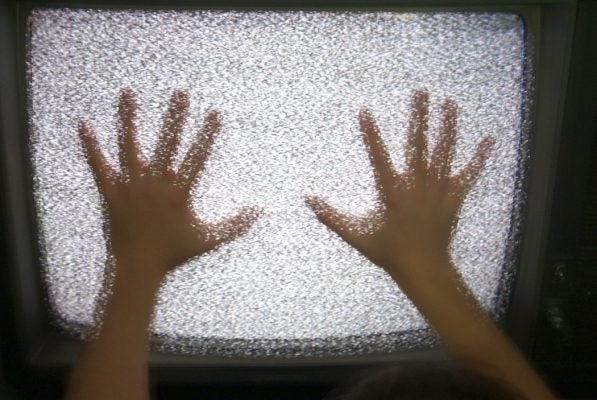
(231, 228)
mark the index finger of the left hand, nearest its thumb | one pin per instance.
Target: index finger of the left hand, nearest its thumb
(197, 155)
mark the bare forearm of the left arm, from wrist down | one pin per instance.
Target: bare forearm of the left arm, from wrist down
(113, 365)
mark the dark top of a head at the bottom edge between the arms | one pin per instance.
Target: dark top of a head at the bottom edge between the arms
(423, 381)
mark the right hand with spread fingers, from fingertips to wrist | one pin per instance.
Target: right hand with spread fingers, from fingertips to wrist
(418, 207)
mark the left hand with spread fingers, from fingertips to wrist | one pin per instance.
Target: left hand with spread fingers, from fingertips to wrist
(147, 209)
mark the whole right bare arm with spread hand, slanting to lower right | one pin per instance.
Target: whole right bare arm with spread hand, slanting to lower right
(412, 237)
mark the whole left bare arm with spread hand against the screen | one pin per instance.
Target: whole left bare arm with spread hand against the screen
(150, 229)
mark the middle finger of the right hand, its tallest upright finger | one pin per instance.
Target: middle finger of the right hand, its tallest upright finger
(416, 151)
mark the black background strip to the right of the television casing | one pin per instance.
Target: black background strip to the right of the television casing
(565, 343)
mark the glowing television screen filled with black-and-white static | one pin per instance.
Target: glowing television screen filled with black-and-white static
(289, 86)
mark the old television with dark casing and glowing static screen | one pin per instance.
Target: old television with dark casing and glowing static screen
(289, 301)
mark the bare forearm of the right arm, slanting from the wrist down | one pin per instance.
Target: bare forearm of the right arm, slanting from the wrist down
(465, 330)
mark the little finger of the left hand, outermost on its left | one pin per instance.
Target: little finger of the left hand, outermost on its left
(103, 173)
